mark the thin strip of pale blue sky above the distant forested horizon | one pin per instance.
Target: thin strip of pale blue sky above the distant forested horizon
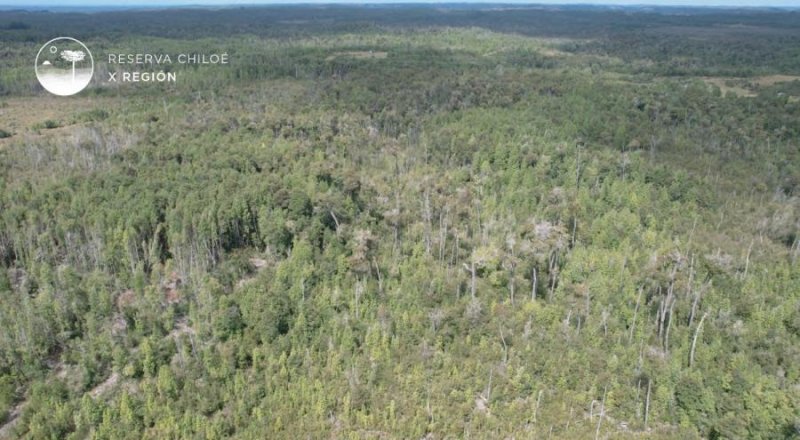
(118, 3)
